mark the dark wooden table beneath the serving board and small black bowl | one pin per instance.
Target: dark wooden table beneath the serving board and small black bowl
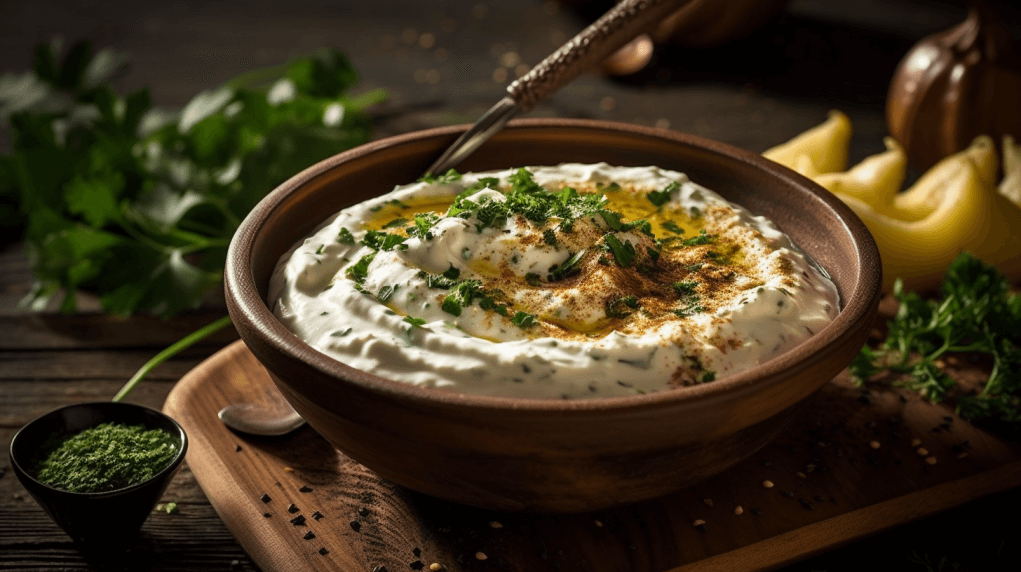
(442, 63)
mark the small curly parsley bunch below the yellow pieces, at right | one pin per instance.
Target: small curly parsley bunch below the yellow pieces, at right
(978, 313)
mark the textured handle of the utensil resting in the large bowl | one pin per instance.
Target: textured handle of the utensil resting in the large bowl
(618, 27)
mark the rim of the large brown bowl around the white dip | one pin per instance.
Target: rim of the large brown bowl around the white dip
(252, 314)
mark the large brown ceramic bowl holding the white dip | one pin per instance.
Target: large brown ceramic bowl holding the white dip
(552, 456)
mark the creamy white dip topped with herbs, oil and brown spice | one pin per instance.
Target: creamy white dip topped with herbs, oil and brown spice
(556, 282)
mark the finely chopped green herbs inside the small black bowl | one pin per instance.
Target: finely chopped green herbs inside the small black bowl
(108, 457)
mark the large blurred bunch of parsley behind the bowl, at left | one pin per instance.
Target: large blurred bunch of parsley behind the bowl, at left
(138, 205)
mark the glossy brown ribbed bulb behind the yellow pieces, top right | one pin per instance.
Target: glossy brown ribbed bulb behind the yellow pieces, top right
(955, 86)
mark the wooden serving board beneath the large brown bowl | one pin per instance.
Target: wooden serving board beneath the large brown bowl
(856, 462)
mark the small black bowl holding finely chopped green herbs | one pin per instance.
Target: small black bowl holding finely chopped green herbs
(94, 519)
